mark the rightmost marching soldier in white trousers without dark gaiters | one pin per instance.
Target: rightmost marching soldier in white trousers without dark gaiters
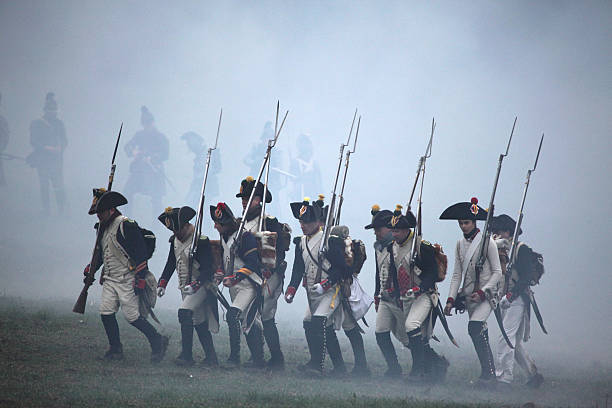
(514, 305)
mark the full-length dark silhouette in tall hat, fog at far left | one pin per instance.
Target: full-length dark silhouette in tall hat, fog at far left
(48, 138)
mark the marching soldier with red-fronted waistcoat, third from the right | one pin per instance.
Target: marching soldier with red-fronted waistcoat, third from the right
(413, 287)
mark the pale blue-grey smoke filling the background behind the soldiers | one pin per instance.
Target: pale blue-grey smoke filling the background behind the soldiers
(471, 65)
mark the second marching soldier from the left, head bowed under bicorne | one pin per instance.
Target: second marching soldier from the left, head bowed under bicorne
(199, 308)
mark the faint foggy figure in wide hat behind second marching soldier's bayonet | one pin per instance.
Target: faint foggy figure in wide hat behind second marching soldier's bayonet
(195, 144)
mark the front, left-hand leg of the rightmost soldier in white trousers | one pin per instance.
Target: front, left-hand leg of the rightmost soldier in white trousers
(512, 318)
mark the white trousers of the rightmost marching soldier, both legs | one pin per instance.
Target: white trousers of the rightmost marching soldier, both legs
(514, 323)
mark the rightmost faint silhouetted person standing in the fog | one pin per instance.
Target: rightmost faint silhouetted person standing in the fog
(305, 168)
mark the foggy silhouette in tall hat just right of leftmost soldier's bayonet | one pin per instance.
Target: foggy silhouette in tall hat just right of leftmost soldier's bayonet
(150, 149)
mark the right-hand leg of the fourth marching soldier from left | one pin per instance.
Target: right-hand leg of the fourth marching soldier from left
(272, 292)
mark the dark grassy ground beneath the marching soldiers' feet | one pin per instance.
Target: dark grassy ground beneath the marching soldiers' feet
(50, 357)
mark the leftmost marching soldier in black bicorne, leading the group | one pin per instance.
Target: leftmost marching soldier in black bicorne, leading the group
(126, 280)
